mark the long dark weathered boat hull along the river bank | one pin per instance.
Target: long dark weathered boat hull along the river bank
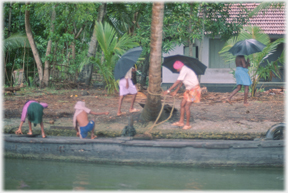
(149, 152)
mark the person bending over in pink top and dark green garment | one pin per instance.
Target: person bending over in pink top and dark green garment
(34, 110)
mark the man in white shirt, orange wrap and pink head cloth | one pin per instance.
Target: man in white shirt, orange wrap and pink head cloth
(192, 93)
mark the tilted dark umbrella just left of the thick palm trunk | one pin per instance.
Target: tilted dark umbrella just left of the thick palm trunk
(126, 62)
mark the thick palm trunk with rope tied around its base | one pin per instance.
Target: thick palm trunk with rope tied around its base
(153, 102)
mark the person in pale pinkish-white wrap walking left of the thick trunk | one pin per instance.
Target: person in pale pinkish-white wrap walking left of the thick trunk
(126, 86)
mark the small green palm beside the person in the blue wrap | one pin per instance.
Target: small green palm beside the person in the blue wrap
(257, 70)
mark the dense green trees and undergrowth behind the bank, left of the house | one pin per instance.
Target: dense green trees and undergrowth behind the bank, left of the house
(63, 35)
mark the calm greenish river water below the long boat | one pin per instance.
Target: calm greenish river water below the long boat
(23, 174)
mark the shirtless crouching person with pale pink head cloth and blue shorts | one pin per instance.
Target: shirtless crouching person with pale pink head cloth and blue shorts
(80, 120)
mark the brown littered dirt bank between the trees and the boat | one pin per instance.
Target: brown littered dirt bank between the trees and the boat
(212, 113)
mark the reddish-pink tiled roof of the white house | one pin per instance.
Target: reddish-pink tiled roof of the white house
(272, 21)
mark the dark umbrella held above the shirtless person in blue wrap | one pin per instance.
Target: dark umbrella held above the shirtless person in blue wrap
(247, 47)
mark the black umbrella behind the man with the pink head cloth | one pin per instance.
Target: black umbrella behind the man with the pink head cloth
(192, 63)
